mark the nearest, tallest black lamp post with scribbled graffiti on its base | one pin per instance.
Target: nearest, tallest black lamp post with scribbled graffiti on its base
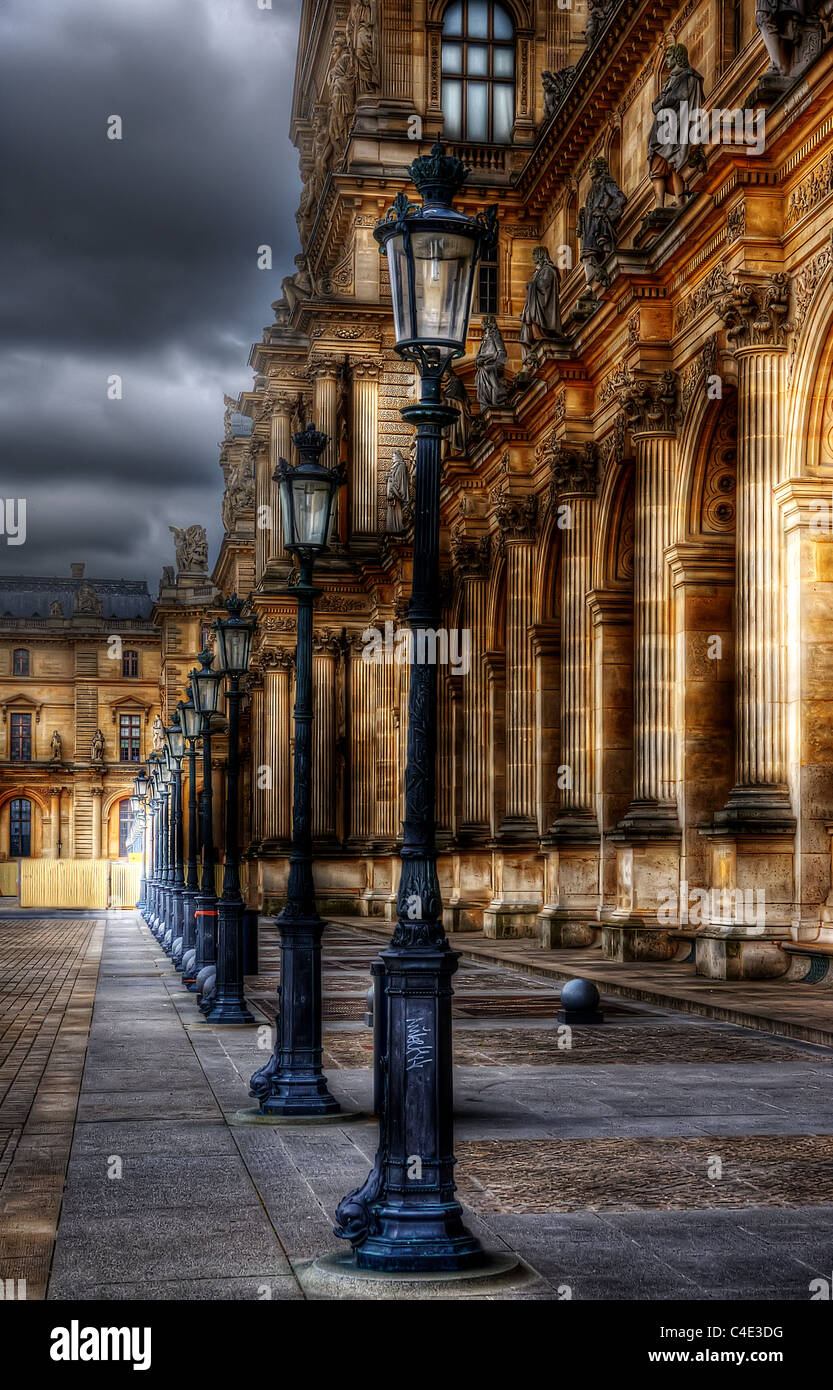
(407, 1218)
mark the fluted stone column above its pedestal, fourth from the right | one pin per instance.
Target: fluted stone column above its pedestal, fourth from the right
(518, 530)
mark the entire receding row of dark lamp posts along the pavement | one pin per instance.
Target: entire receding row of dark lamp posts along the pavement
(405, 1218)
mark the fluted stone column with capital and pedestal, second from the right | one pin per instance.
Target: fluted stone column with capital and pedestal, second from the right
(649, 837)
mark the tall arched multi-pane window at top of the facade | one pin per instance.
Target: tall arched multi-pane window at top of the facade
(479, 73)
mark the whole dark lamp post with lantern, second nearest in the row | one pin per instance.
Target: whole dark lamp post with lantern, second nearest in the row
(293, 1082)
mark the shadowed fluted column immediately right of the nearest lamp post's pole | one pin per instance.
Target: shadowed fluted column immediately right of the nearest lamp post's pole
(472, 559)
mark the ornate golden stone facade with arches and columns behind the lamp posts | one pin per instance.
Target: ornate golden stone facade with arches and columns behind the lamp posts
(639, 753)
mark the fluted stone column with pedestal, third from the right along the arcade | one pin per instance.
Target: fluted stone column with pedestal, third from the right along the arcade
(569, 915)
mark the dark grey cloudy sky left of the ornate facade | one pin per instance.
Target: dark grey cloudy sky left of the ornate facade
(134, 258)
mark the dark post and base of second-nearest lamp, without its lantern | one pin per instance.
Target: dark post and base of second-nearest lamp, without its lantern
(294, 1082)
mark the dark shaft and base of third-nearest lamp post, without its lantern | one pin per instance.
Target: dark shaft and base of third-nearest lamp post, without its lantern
(230, 1006)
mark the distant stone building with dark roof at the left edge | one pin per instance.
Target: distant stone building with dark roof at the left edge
(80, 667)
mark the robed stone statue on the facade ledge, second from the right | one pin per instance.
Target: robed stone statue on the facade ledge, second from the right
(670, 148)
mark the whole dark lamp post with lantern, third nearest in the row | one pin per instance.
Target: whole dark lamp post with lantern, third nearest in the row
(234, 653)
